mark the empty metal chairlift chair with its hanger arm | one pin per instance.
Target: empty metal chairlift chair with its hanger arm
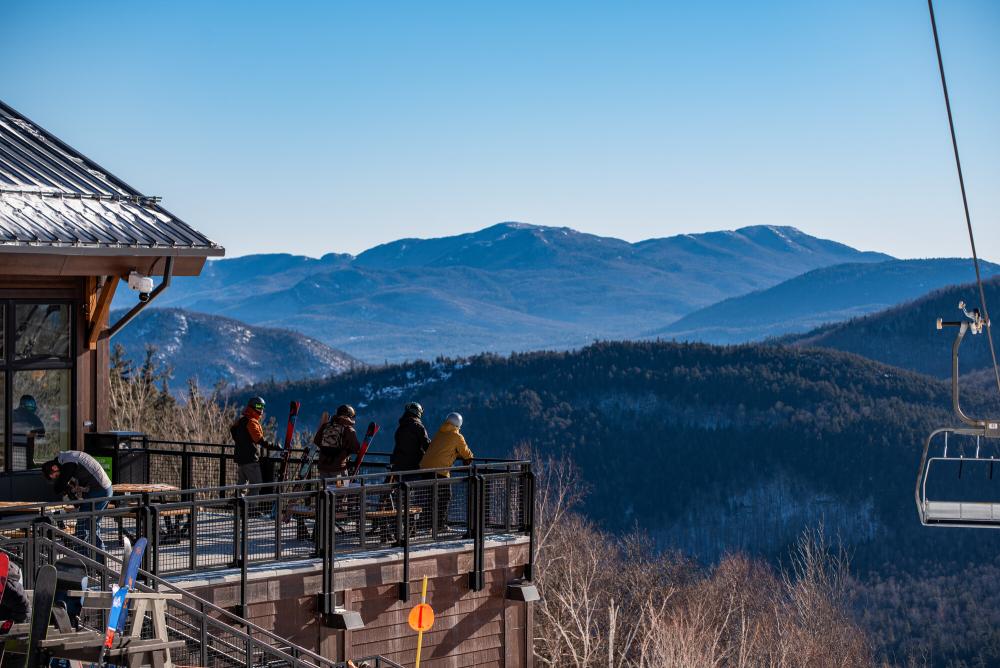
(964, 489)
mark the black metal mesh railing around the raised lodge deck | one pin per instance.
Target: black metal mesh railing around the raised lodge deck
(197, 529)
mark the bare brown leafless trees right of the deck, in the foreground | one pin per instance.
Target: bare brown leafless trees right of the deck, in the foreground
(618, 602)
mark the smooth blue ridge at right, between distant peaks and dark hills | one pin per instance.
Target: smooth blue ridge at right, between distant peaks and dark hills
(818, 297)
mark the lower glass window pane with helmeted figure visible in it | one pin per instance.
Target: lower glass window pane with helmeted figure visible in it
(40, 418)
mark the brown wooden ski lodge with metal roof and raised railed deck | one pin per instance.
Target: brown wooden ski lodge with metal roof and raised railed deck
(329, 578)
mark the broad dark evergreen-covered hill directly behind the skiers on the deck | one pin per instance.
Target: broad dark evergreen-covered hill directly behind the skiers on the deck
(713, 449)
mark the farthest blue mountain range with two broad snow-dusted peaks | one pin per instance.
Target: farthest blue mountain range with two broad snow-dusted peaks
(508, 287)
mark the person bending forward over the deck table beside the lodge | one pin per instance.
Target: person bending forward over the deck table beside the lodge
(76, 475)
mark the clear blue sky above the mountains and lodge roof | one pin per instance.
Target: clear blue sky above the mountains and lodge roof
(333, 126)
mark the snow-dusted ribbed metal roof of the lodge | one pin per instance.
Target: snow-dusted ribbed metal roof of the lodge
(55, 200)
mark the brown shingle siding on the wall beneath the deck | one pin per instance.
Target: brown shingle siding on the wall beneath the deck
(470, 628)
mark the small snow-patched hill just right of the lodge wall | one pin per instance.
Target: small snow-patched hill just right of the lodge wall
(210, 349)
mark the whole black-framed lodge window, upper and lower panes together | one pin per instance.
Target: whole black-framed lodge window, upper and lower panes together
(36, 373)
